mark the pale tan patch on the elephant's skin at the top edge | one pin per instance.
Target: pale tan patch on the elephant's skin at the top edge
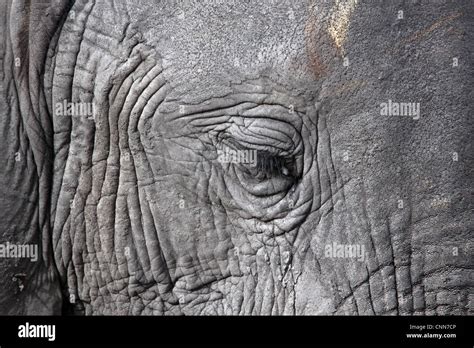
(339, 21)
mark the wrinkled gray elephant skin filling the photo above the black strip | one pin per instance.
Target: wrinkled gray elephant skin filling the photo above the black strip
(132, 212)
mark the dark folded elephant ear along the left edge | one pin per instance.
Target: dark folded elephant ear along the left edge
(29, 281)
